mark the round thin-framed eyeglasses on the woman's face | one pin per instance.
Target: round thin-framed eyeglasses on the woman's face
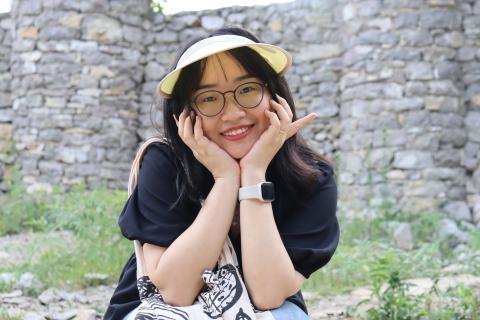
(247, 95)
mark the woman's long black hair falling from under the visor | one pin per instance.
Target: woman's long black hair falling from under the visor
(293, 170)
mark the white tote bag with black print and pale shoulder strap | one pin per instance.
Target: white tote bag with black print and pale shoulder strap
(224, 297)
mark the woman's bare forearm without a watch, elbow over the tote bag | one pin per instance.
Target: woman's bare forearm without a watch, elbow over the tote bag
(178, 272)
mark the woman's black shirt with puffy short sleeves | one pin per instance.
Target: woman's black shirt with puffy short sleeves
(309, 231)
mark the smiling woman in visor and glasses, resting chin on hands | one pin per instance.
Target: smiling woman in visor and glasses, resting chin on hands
(234, 166)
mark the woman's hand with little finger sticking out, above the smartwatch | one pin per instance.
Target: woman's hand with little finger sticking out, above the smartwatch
(281, 128)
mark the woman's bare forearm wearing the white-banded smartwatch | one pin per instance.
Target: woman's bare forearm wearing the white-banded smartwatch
(269, 273)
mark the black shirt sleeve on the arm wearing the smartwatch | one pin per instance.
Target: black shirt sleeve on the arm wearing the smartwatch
(311, 233)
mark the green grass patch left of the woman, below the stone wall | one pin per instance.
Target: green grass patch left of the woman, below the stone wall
(96, 244)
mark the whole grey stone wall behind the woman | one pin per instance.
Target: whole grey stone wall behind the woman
(396, 84)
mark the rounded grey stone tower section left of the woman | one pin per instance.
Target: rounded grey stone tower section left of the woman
(77, 67)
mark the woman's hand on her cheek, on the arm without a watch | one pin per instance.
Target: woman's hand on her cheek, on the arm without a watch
(220, 164)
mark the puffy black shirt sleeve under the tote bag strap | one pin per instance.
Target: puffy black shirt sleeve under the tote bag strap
(146, 215)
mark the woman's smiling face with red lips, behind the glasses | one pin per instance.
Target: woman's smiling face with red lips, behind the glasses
(227, 129)
